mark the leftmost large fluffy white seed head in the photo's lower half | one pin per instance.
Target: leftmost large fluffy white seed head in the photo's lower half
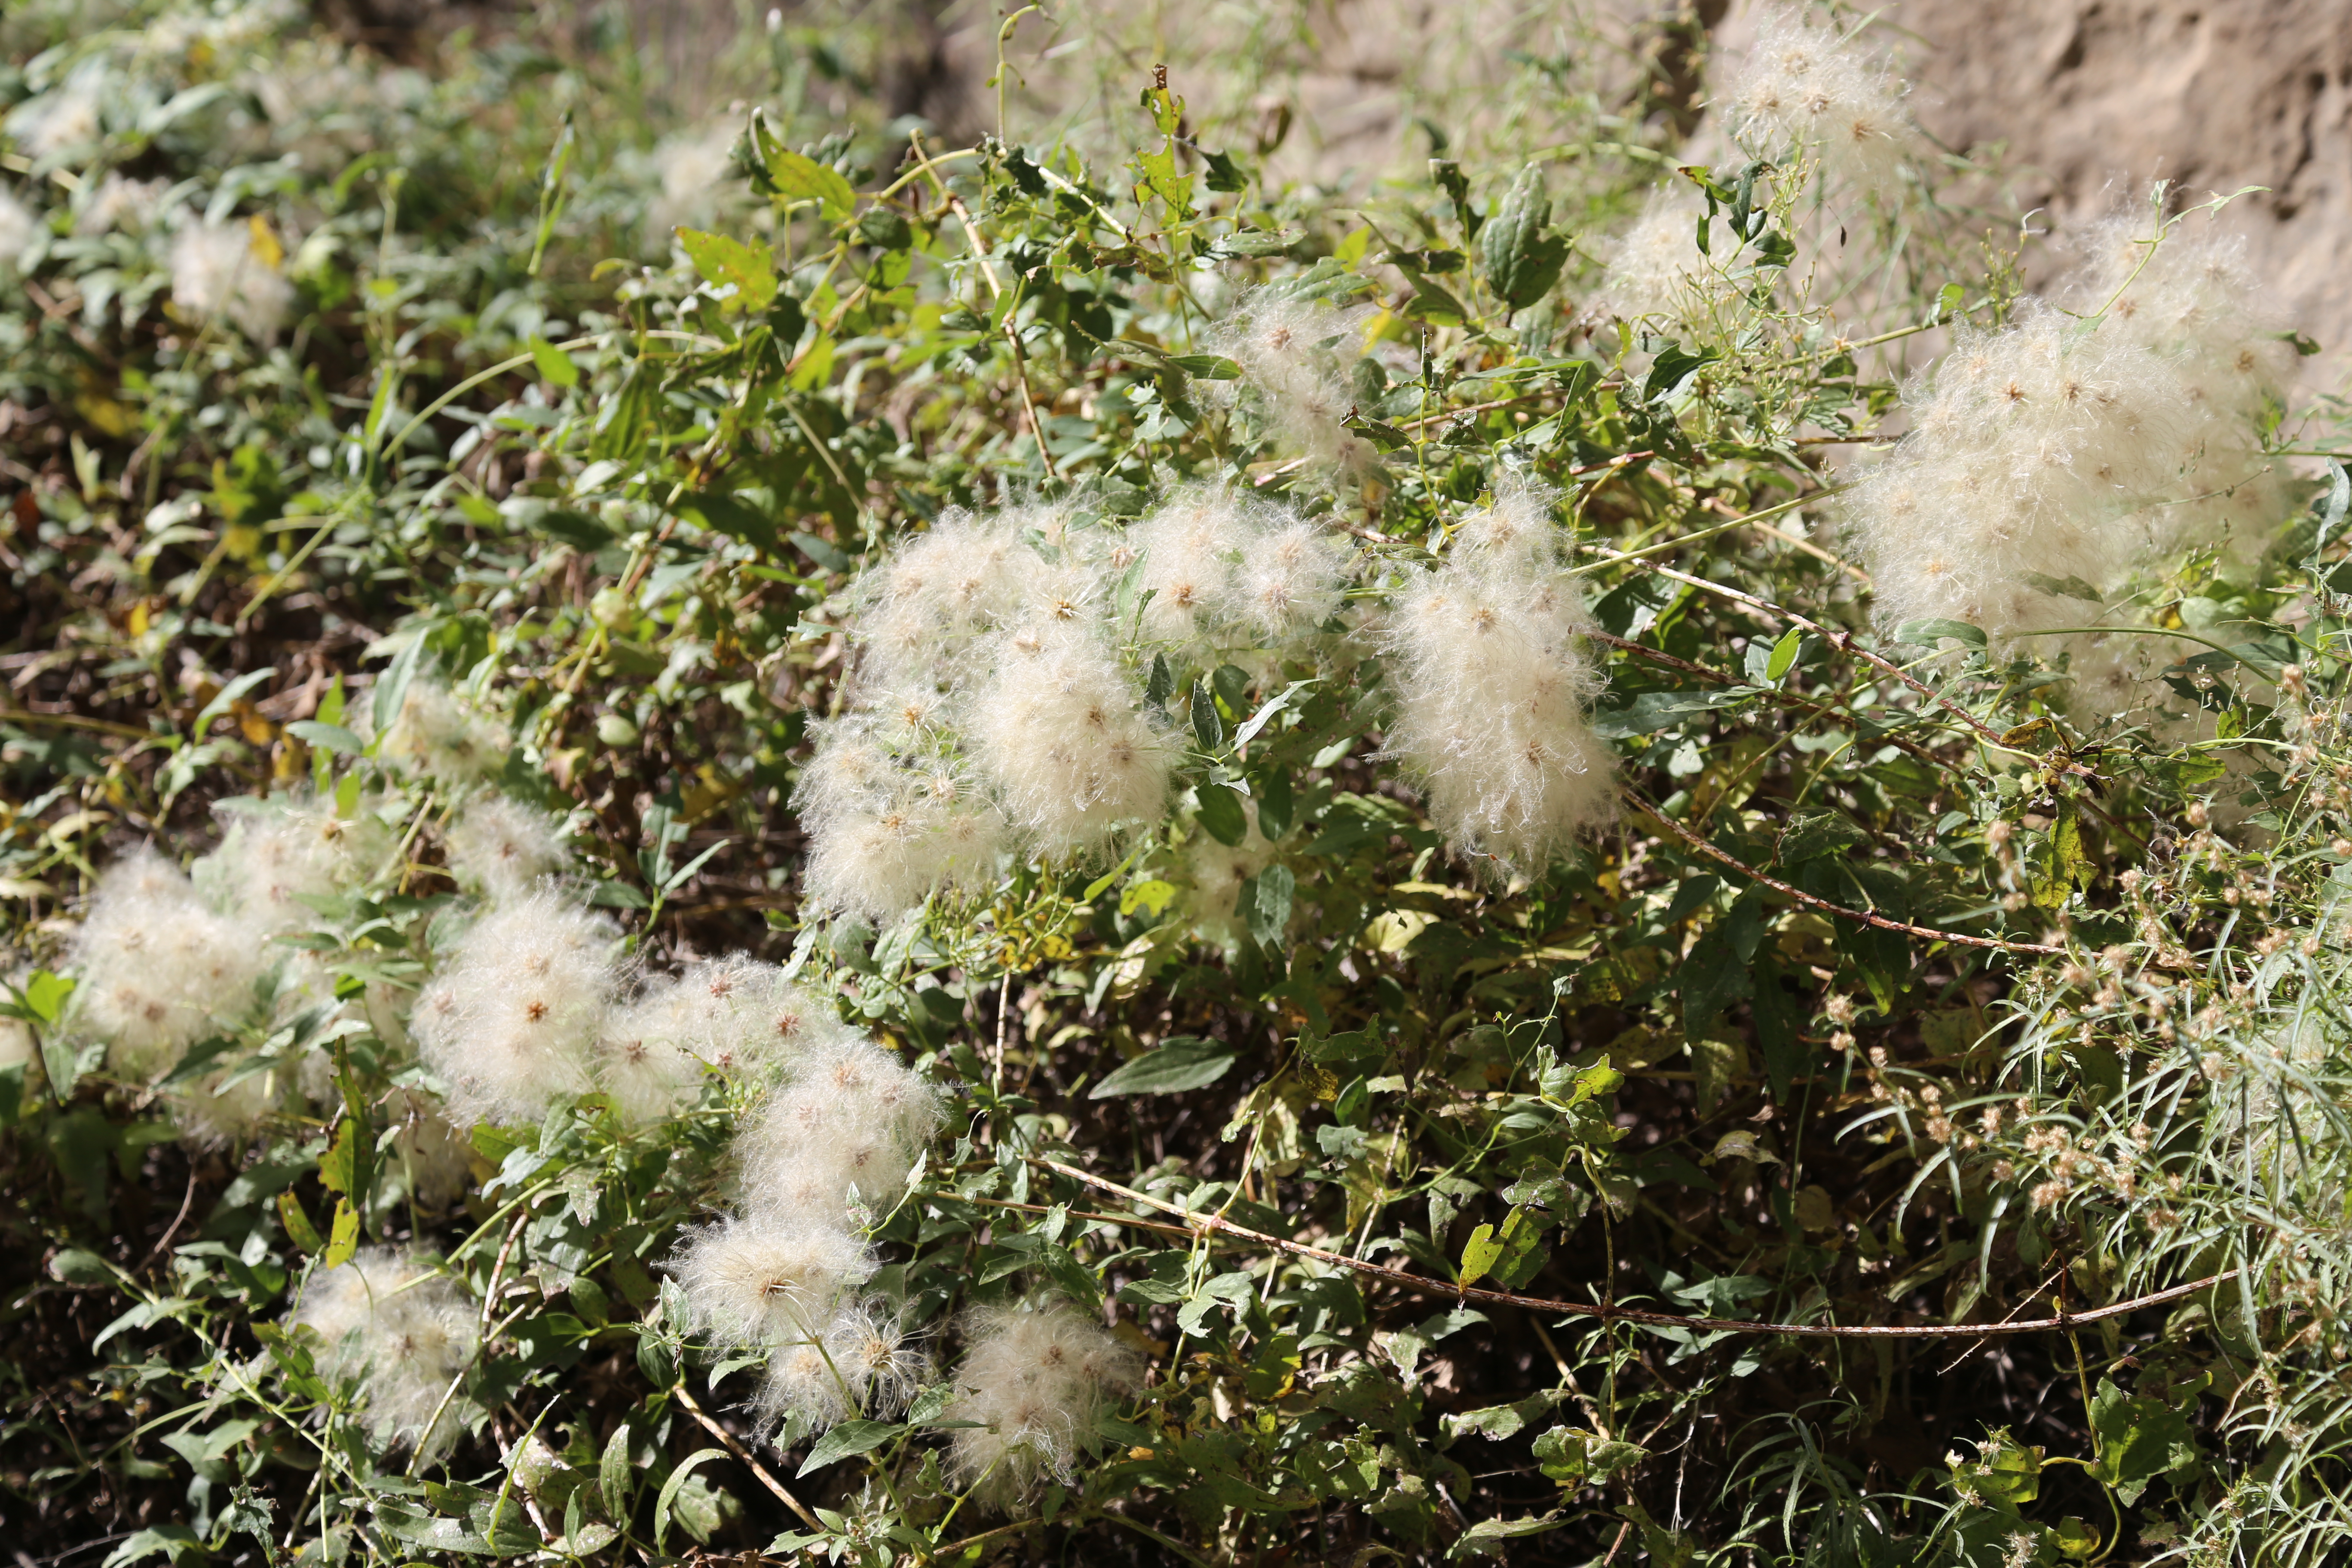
(159, 967)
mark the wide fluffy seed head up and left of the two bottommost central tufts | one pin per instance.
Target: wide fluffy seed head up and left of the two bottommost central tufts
(766, 1280)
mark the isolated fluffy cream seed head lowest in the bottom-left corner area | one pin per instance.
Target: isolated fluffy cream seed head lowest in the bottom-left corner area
(396, 1329)
